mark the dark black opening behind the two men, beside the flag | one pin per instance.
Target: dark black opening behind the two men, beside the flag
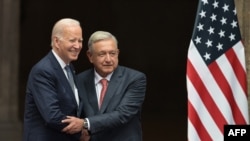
(153, 37)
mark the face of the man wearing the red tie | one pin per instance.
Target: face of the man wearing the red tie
(104, 56)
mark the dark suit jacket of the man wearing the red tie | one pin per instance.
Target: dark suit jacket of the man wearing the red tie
(119, 117)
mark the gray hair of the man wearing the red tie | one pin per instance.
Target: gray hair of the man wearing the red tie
(99, 36)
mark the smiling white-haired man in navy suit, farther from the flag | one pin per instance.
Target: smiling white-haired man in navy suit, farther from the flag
(50, 98)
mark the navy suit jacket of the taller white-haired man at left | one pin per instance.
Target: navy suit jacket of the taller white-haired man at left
(49, 98)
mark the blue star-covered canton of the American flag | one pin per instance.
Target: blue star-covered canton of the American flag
(217, 29)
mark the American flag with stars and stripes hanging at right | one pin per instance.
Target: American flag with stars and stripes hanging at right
(216, 72)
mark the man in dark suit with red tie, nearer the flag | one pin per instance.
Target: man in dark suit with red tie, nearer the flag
(117, 117)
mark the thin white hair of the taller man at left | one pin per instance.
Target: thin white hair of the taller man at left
(60, 25)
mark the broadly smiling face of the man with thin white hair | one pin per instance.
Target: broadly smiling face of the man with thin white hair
(69, 44)
